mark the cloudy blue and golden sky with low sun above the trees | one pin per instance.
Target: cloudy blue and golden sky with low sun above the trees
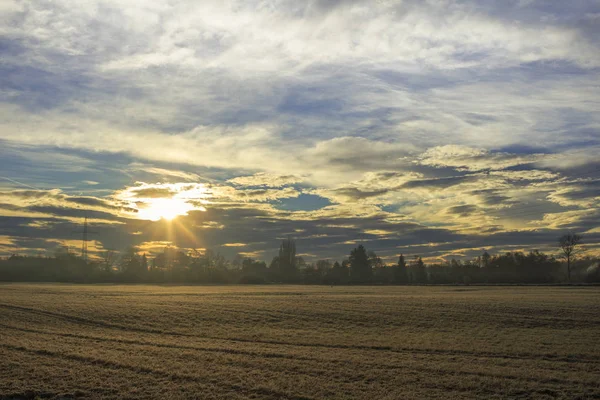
(437, 128)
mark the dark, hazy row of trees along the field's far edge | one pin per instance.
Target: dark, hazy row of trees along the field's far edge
(360, 267)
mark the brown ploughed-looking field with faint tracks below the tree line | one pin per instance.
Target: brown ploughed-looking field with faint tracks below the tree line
(298, 342)
